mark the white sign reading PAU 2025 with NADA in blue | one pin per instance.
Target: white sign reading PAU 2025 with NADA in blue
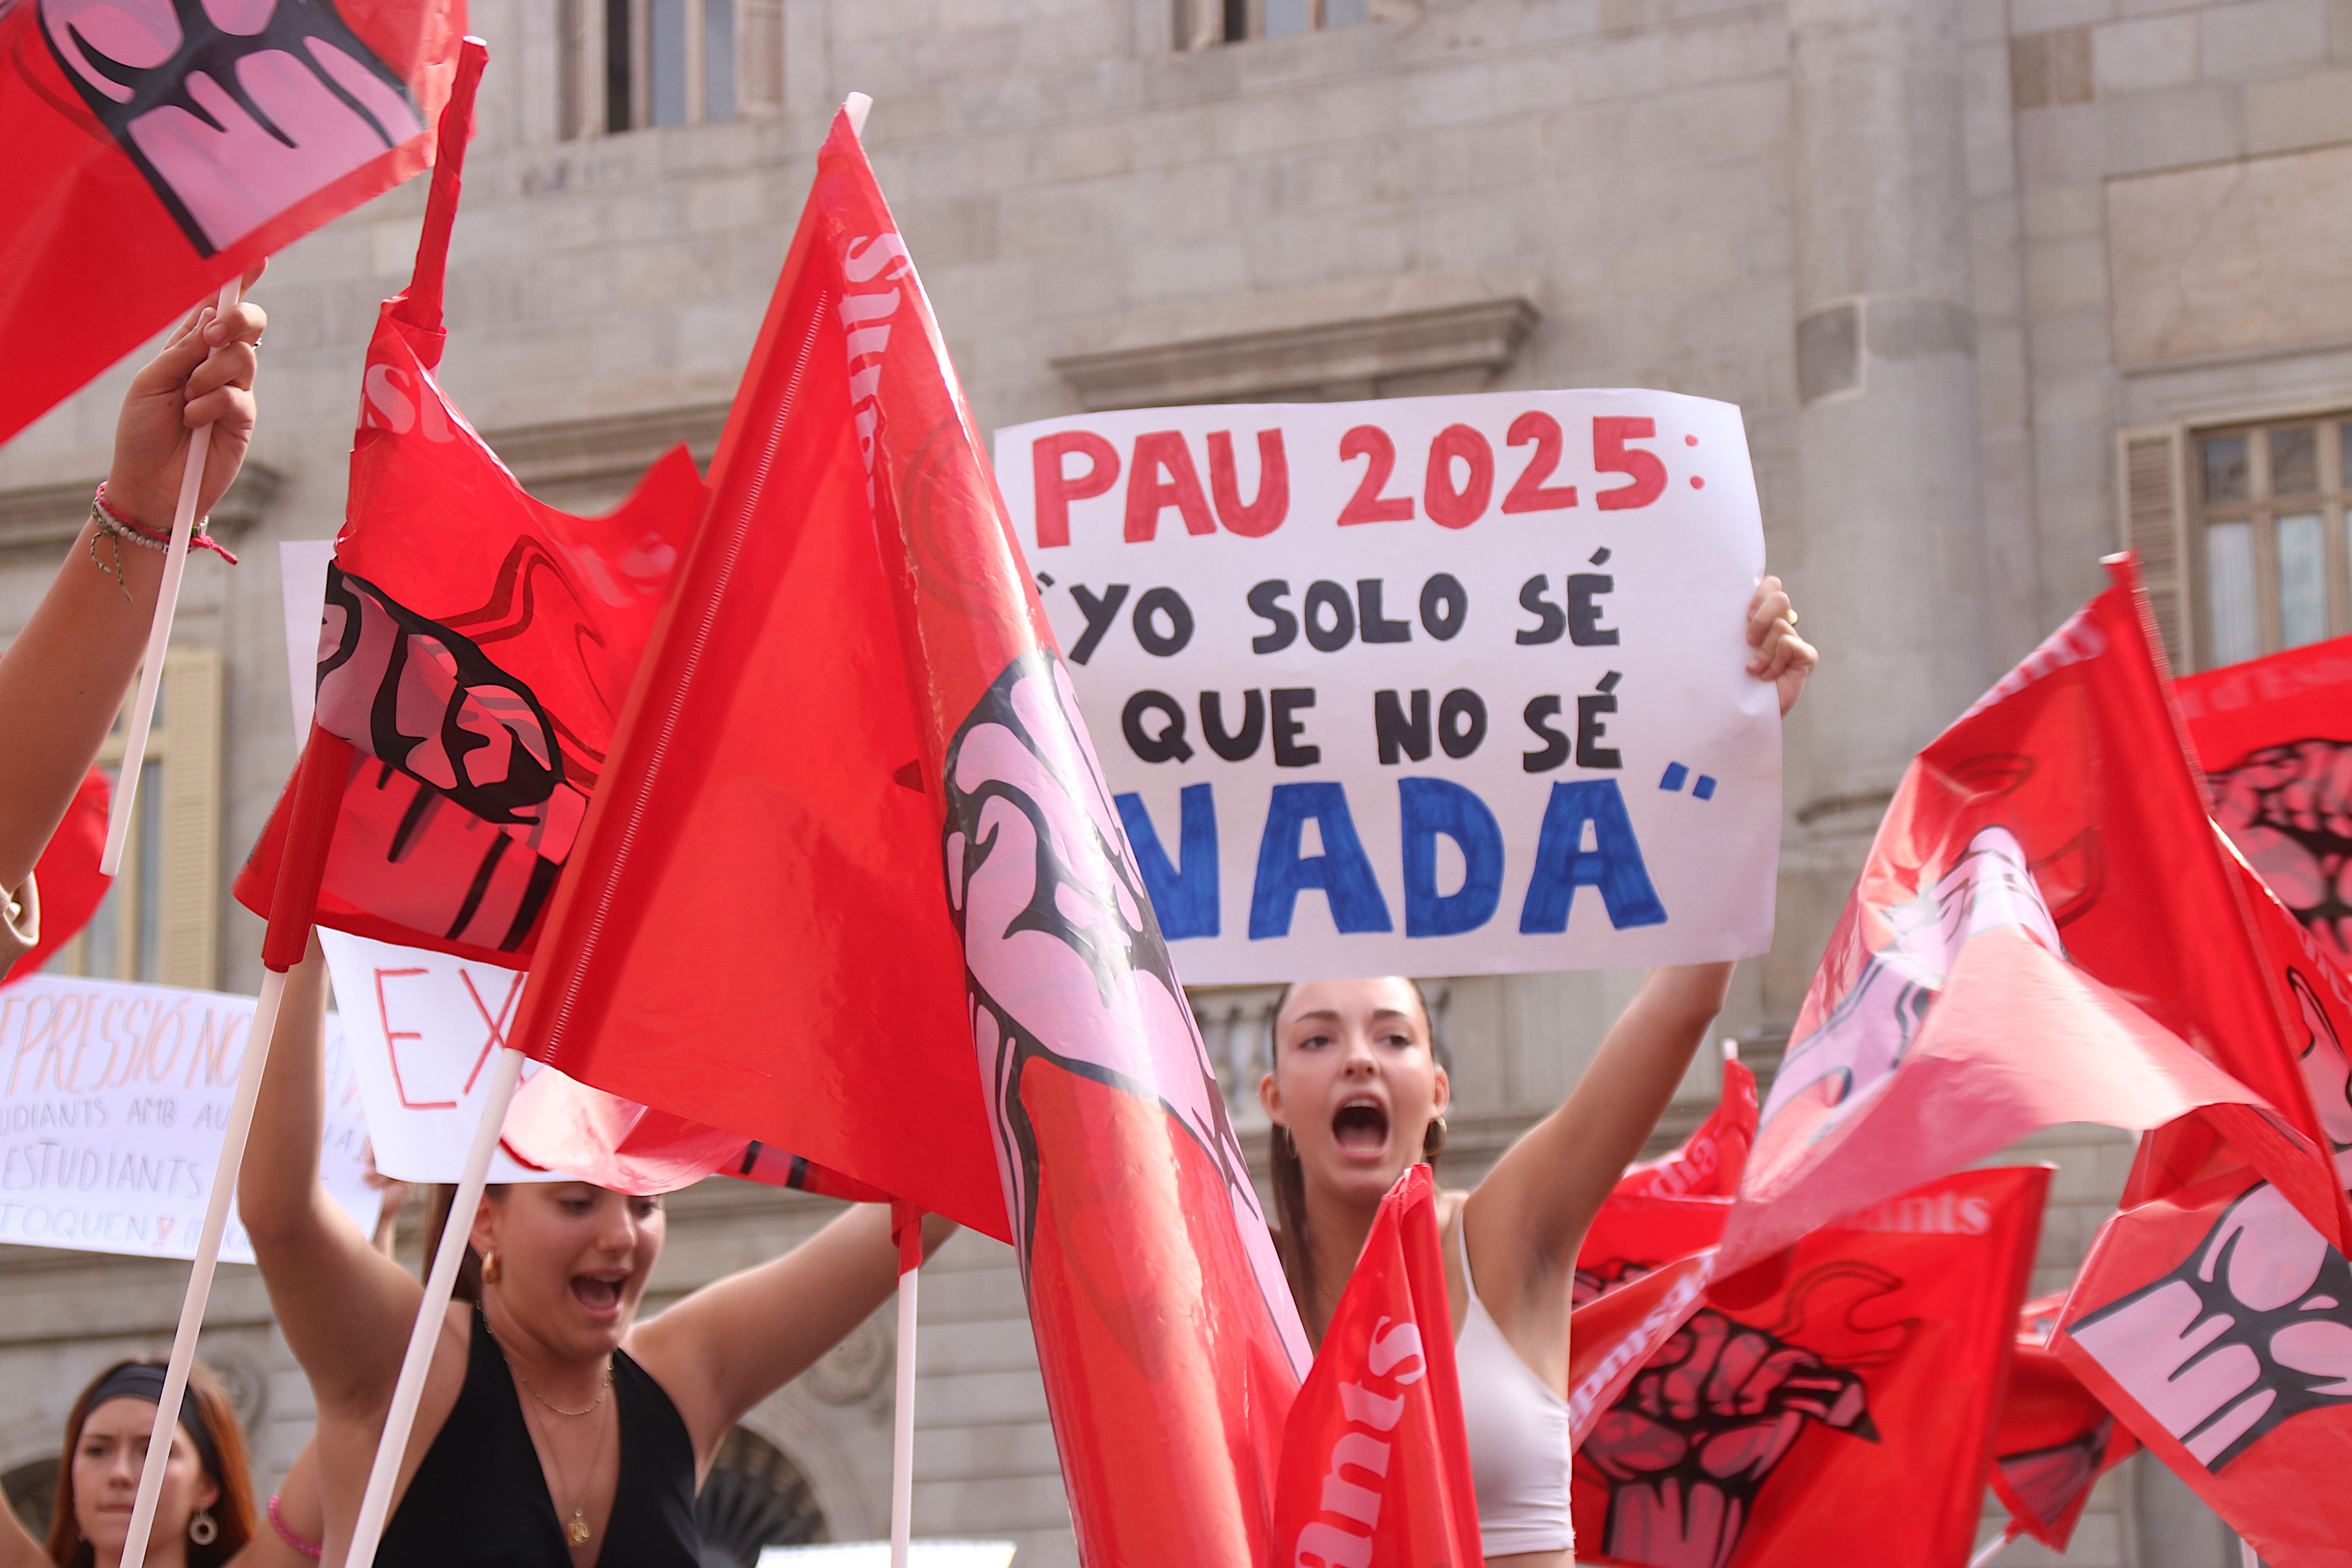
(1438, 685)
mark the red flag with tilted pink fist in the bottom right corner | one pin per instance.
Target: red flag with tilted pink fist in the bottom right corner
(2217, 1322)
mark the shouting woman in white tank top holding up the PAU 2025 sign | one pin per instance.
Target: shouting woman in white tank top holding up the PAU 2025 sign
(1356, 1097)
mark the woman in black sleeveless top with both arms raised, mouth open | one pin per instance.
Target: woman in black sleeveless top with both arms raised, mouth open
(554, 1430)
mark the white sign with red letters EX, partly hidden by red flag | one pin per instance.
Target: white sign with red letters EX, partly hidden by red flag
(425, 1031)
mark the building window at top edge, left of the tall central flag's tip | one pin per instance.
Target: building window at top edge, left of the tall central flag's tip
(636, 65)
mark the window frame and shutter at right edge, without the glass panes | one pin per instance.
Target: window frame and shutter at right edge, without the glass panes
(2167, 514)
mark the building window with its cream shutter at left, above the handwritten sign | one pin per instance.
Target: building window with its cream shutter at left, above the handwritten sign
(161, 916)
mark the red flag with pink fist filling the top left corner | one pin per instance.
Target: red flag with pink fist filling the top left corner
(156, 154)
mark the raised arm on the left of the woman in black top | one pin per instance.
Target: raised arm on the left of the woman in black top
(342, 1306)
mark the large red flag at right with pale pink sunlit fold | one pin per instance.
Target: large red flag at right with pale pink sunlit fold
(2043, 923)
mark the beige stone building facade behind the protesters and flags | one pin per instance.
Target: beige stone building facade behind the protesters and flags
(1998, 283)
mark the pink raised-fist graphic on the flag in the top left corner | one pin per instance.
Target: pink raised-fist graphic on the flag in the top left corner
(232, 109)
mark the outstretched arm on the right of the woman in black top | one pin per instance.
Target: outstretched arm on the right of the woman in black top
(737, 1341)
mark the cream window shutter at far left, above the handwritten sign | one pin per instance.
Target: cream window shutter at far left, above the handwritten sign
(192, 822)
